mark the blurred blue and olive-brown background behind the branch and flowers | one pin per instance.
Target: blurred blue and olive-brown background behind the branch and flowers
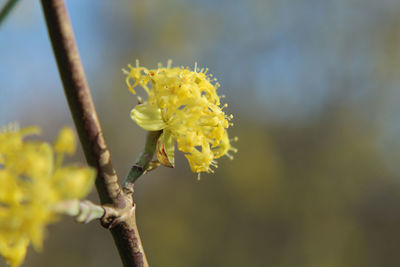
(314, 88)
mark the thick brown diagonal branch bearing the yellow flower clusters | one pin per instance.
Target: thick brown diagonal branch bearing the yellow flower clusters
(123, 228)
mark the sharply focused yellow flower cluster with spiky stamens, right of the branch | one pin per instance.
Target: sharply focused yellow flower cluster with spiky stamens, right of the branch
(183, 104)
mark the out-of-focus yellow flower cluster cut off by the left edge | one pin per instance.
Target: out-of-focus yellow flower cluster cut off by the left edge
(32, 182)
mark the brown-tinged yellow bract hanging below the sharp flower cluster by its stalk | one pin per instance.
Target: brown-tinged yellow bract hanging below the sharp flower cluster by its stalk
(166, 150)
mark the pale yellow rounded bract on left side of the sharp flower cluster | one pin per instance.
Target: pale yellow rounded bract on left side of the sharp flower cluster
(148, 117)
